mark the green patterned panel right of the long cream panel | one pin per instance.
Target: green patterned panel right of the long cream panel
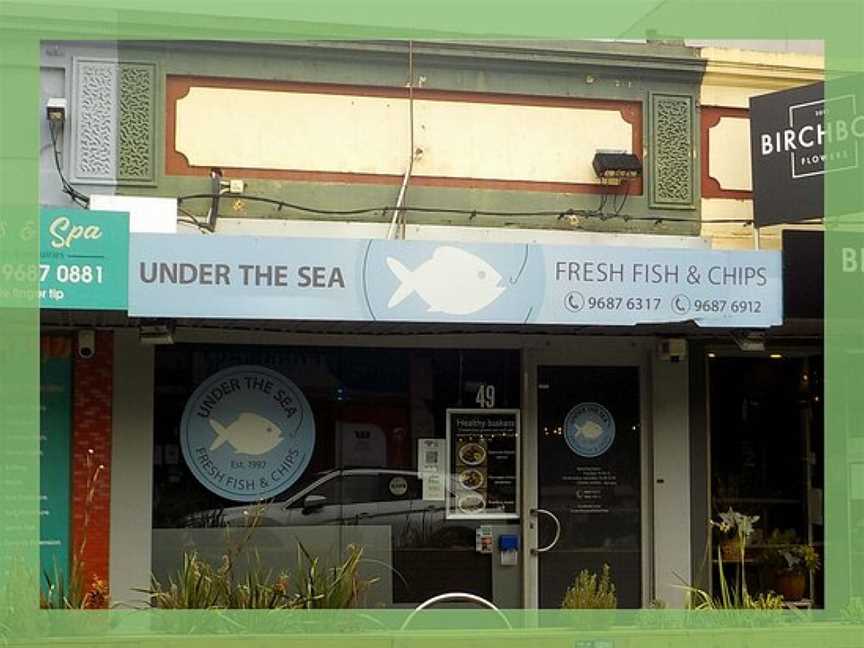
(672, 152)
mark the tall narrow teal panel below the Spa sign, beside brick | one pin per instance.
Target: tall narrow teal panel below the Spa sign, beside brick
(55, 447)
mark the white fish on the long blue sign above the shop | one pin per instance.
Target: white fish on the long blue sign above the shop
(452, 282)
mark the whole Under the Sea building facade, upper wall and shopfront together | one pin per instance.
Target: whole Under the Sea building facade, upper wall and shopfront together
(482, 409)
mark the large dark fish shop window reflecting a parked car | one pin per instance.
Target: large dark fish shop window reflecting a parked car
(372, 408)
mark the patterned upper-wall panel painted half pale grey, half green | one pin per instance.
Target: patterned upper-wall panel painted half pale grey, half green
(113, 117)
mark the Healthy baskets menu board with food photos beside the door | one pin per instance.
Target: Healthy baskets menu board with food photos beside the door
(482, 463)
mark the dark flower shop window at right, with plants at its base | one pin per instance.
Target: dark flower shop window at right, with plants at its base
(767, 460)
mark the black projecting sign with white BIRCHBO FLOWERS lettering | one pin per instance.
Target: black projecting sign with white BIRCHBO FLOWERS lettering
(800, 137)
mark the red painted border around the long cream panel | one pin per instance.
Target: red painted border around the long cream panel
(176, 87)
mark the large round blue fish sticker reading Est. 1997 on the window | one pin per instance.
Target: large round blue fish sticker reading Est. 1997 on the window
(247, 433)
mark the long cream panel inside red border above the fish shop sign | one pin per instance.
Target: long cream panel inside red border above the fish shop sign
(352, 134)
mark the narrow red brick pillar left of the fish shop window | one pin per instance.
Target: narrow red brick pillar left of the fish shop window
(91, 457)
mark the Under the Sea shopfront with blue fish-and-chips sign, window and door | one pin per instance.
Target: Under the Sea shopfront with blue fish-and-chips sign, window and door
(488, 419)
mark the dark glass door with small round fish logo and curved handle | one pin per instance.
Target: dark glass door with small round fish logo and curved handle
(588, 479)
